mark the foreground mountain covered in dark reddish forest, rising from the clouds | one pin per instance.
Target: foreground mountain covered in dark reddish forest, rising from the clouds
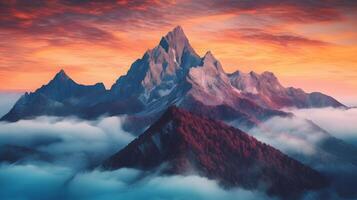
(182, 143)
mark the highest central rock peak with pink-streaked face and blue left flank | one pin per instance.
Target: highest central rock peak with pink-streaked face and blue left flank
(159, 70)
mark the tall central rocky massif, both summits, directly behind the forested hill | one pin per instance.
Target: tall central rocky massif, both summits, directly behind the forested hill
(173, 74)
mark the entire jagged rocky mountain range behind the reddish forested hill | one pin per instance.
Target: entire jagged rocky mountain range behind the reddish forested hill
(172, 73)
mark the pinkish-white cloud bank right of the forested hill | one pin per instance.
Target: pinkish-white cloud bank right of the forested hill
(299, 134)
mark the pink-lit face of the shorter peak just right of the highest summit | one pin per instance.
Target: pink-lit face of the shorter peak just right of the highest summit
(210, 90)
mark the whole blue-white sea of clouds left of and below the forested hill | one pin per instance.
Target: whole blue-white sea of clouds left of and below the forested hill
(74, 144)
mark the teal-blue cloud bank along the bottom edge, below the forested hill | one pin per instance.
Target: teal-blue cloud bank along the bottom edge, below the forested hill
(53, 182)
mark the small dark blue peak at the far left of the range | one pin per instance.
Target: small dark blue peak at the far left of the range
(60, 97)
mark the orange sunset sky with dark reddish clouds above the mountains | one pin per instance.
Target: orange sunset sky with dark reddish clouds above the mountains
(306, 43)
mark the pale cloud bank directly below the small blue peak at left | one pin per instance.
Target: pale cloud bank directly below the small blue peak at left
(68, 140)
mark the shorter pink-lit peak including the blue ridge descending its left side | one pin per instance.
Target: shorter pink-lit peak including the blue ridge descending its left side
(206, 89)
